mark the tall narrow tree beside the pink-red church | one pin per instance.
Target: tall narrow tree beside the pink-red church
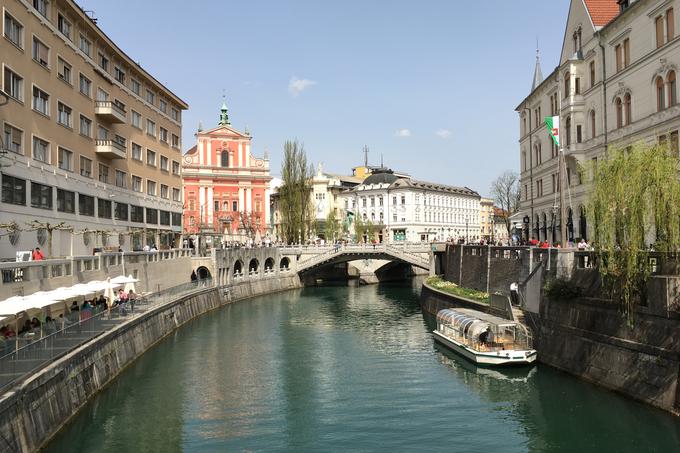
(295, 192)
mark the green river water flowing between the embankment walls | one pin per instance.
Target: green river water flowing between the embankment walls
(347, 369)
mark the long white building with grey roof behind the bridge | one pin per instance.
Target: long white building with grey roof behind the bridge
(404, 209)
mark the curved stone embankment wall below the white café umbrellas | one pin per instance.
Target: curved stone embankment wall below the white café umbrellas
(33, 411)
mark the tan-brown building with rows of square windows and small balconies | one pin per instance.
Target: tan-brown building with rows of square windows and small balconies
(91, 139)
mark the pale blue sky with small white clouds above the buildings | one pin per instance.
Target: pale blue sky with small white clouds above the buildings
(431, 85)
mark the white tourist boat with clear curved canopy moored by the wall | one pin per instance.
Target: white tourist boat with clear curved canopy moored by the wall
(484, 339)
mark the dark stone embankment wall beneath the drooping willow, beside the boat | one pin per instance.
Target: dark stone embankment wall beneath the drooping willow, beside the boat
(590, 339)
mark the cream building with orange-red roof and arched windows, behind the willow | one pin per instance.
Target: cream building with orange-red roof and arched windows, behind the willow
(615, 85)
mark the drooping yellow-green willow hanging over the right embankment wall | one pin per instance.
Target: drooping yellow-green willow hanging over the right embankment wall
(635, 207)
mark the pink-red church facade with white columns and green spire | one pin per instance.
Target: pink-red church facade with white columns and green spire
(226, 188)
